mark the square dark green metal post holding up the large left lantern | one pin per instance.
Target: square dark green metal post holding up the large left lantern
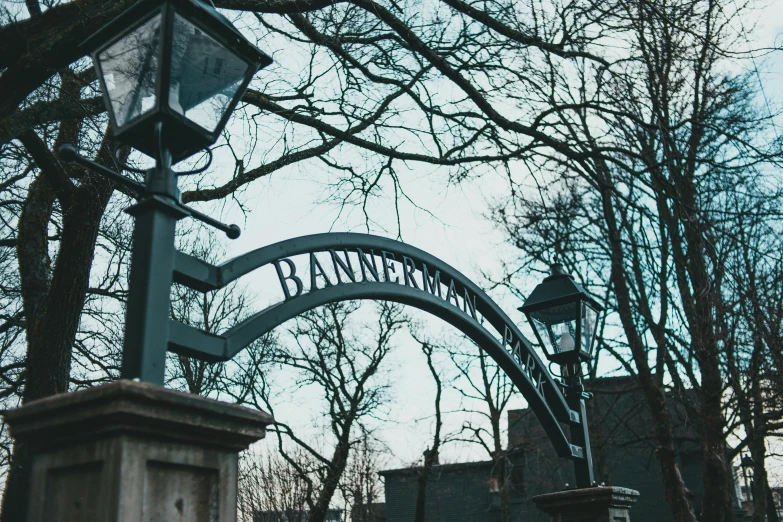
(152, 265)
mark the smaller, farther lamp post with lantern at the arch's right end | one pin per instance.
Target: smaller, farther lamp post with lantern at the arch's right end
(564, 318)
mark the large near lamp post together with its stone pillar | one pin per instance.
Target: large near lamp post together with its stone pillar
(171, 72)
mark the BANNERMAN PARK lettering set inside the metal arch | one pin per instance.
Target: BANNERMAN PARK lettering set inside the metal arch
(353, 265)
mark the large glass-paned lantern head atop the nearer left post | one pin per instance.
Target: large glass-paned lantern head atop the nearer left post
(178, 62)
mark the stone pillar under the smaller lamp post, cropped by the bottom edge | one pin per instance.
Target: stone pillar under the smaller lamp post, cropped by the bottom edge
(599, 504)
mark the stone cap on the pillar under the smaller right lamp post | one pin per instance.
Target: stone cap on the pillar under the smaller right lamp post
(586, 498)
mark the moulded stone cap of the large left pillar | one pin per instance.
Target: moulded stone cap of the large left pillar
(138, 409)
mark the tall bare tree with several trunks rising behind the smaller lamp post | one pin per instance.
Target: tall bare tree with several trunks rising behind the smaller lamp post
(651, 214)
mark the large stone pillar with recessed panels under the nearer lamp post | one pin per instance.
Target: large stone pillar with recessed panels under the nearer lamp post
(134, 452)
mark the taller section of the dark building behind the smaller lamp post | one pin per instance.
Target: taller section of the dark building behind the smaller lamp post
(623, 450)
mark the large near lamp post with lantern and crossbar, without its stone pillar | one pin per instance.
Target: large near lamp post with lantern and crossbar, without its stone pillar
(171, 72)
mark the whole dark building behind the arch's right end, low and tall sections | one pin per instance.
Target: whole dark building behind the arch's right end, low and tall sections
(623, 454)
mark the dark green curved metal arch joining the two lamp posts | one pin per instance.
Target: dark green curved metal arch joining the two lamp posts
(524, 367)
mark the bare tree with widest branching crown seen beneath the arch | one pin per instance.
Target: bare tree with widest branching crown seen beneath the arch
(343, 361)
